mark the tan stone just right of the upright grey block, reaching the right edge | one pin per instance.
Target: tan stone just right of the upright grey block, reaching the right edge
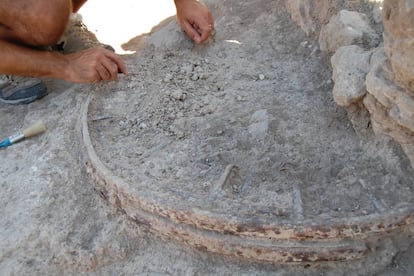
(380, 84)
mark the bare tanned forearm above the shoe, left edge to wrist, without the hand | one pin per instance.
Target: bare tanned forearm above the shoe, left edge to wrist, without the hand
(18, 60)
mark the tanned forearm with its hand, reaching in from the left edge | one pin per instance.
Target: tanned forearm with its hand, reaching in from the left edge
(87, 66)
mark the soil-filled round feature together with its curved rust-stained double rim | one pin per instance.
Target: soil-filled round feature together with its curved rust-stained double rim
(237, 147)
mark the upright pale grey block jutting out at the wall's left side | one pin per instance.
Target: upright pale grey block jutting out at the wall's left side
(350, 66)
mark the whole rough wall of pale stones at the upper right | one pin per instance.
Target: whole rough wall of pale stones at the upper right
(371, 45)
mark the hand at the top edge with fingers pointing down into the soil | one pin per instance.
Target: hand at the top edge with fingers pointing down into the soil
(195, 19)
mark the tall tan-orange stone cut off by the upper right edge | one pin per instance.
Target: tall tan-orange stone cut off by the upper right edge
(398, 18)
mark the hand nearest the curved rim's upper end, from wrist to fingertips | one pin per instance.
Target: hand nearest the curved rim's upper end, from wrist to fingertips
(93, 65)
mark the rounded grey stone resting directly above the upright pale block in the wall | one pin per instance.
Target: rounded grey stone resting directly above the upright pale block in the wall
(347, 28)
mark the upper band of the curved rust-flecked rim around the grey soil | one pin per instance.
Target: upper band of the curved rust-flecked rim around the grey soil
(337, 228)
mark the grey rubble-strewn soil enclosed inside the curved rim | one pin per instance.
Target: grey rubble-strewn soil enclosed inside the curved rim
(260, 102)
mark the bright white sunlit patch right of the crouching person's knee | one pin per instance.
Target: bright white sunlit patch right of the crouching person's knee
(116, 22)
